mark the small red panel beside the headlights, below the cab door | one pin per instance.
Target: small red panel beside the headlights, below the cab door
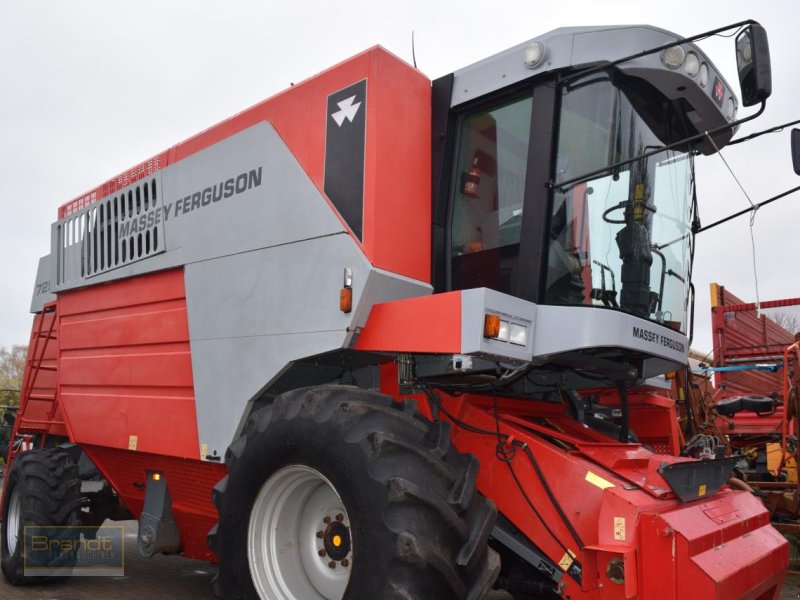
(425, 324)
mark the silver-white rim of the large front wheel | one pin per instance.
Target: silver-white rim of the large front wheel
(298, 537)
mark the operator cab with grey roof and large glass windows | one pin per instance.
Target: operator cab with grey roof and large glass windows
(566, 179)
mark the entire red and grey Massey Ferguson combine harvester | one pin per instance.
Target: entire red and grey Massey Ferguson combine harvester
(359, 340)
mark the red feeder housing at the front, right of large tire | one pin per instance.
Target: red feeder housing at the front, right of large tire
(593, 504)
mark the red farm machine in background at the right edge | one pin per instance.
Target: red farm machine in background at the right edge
(756, 377)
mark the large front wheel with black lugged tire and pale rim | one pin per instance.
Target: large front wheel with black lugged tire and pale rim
(338, 493)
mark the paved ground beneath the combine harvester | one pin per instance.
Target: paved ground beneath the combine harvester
(168, 577)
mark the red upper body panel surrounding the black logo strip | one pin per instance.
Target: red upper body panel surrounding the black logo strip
(397, 162)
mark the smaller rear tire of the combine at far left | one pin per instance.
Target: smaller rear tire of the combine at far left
(43, 489)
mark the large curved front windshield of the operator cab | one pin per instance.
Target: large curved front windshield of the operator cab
(619, 240)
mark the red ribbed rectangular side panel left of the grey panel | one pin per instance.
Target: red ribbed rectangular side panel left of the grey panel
(125, 367)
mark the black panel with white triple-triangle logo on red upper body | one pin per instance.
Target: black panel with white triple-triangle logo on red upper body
(345, 140)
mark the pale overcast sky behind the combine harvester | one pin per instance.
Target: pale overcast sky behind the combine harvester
(90, 88)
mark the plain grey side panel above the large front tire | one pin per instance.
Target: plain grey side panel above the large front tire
(253, 313)
